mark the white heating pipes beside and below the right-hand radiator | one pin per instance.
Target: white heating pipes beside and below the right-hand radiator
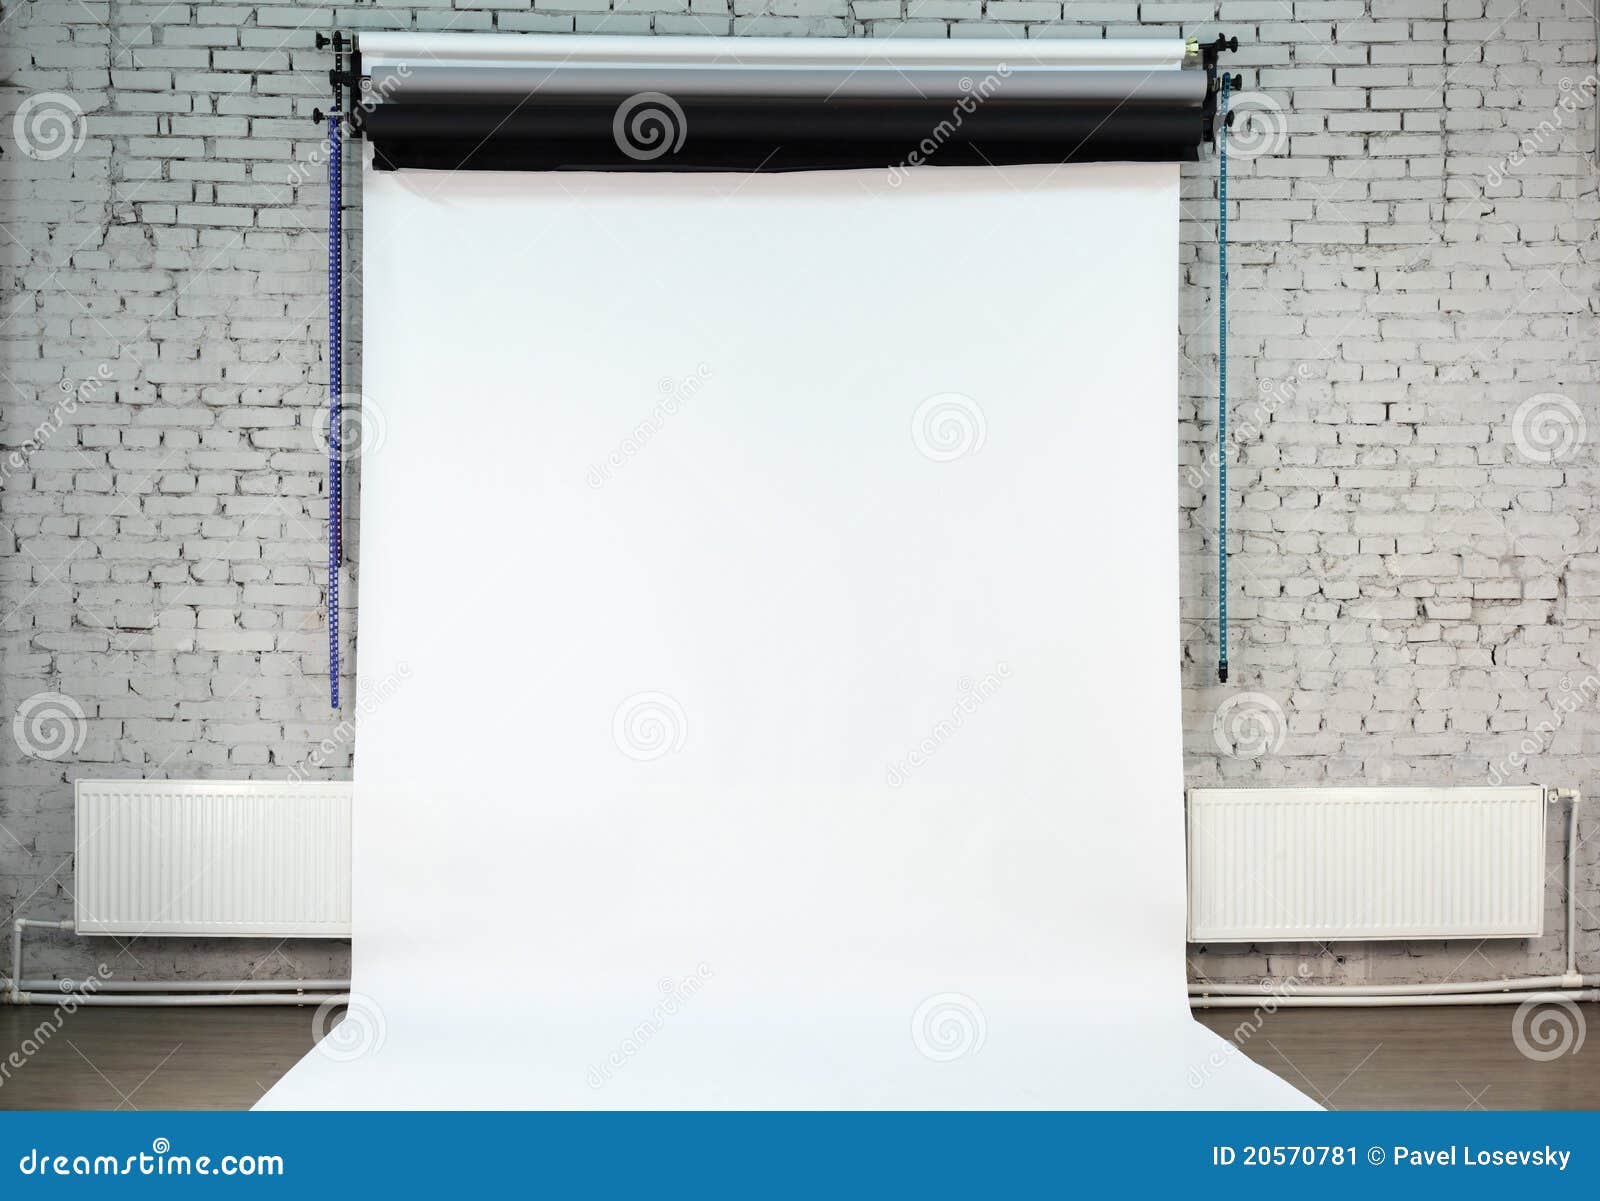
(1570, 988)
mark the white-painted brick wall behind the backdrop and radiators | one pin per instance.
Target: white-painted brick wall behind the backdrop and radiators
(1412, 593)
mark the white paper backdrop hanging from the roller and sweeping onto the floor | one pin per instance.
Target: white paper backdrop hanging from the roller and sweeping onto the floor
(780, 573)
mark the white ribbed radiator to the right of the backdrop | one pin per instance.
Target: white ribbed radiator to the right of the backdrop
(1329, 864)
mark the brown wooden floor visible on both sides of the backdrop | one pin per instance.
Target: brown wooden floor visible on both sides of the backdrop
(1348, 1059)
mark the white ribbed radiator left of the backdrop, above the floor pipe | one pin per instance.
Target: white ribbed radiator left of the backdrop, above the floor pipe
(214, 858)
